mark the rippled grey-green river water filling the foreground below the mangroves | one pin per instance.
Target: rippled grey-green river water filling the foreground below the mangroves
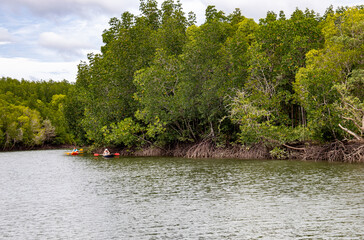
(49, 195)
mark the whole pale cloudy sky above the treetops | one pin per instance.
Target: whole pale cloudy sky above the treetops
(47, 39)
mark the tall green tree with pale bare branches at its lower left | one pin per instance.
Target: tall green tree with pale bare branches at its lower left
(265, 109)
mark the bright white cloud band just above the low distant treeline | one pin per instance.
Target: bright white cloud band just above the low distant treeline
(31, 69)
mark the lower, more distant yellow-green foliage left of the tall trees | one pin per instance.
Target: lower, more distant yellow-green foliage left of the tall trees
(32, 113)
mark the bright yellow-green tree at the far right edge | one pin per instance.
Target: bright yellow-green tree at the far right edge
(325, 87)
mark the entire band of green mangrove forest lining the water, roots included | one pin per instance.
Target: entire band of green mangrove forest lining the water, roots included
(286, 87)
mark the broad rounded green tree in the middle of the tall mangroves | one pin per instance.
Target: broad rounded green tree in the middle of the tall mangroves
(187, 92)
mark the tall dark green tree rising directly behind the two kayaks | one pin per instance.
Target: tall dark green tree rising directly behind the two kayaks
(105, 84)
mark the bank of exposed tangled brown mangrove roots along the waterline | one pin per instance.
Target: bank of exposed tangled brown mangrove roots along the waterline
(334, 152)
